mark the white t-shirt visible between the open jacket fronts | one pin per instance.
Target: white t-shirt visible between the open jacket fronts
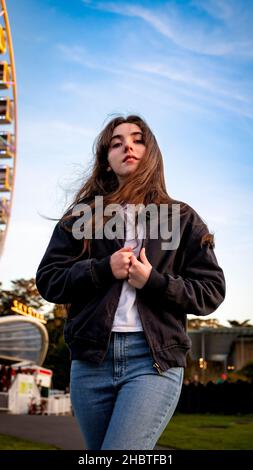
(127, 316)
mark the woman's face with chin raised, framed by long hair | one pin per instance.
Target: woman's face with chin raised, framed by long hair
(126, 150)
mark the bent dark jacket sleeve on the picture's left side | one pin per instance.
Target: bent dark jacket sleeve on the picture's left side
(61, 279)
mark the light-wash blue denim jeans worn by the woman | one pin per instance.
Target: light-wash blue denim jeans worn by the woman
(124, 403)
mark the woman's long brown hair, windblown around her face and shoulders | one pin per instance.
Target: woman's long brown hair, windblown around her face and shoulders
(146, 186)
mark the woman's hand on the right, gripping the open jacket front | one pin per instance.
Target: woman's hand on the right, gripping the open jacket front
(139, 271)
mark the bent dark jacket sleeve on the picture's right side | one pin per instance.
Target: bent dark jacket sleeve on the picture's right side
(199, 289)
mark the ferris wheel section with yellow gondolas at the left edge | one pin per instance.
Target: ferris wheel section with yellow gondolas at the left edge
(8, 123)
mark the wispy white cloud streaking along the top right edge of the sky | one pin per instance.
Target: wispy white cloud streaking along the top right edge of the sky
(186, 32)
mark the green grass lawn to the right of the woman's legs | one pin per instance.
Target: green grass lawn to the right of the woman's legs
(208, 432)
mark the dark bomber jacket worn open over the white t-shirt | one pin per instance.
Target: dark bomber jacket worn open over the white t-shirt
(184, 281)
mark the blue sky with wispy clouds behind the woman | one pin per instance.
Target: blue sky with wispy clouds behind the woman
(185, 66)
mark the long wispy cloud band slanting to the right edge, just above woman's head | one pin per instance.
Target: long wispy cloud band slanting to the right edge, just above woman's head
(182, 76)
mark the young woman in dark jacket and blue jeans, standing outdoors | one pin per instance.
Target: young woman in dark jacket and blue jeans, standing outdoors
(128, 296)
